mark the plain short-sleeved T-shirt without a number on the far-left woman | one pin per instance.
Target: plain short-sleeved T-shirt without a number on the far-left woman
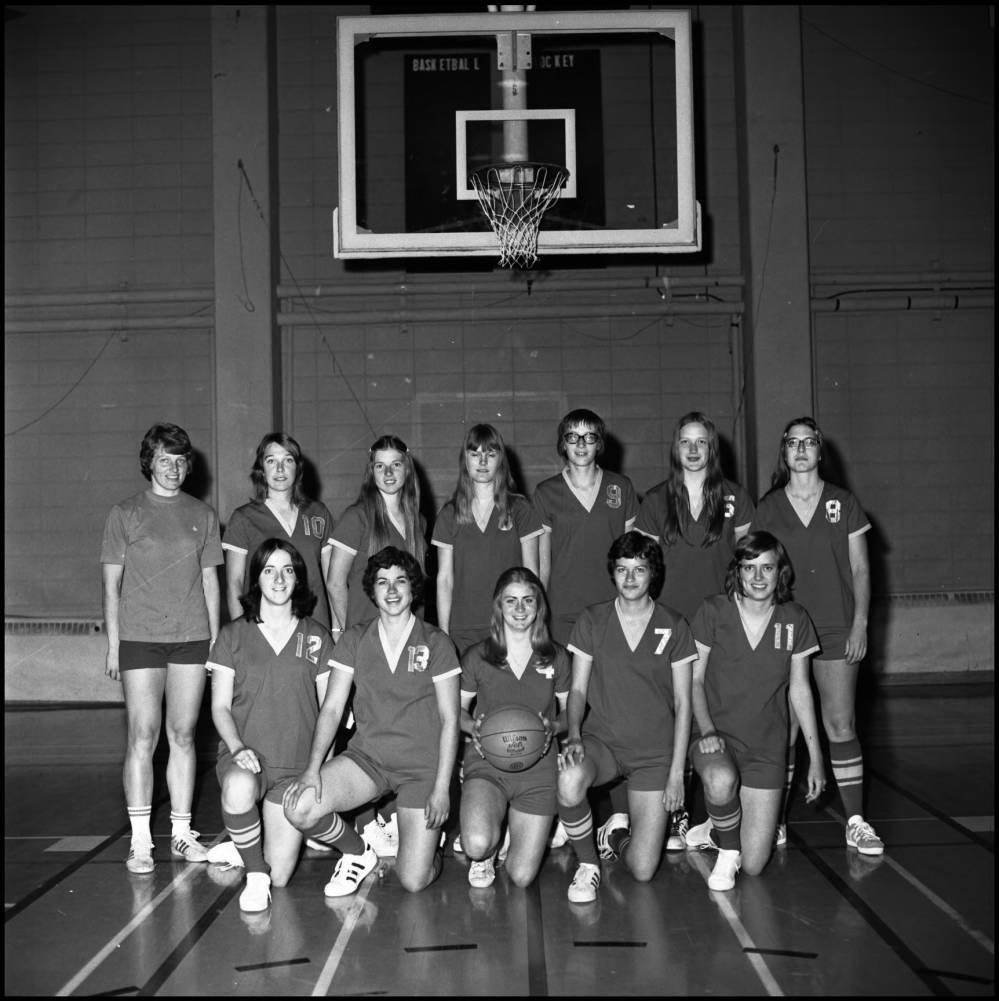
(164, 544)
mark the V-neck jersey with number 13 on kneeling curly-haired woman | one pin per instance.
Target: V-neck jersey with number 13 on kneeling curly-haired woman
(396, 705)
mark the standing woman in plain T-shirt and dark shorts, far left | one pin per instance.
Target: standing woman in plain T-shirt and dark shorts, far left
(160, 560)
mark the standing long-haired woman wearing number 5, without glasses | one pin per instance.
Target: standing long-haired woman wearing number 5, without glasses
(696, 515)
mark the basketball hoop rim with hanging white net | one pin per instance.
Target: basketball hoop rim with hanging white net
(514, 198)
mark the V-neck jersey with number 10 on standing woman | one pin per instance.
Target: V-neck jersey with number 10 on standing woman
(254, 523)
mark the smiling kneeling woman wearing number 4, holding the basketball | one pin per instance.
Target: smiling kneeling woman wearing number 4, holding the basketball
(518, 665)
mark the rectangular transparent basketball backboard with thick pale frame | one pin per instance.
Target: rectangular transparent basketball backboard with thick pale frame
(425, 101)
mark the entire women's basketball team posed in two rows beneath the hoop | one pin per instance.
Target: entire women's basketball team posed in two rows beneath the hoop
(590, 669)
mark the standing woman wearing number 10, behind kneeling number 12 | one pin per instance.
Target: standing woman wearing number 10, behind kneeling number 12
(280, 510)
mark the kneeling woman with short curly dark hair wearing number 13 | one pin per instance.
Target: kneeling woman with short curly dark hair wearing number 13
(406, 707)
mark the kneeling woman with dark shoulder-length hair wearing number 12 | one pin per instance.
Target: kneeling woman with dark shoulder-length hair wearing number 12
(270, 670)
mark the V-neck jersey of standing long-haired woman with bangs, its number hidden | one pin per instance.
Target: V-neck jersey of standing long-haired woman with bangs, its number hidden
(481, 557)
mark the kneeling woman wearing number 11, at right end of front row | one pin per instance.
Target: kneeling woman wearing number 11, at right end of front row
(754, 645)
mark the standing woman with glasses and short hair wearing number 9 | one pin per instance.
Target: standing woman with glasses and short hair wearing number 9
(584, 510)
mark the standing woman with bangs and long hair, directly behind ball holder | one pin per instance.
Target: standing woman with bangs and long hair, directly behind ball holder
(485, 529)
